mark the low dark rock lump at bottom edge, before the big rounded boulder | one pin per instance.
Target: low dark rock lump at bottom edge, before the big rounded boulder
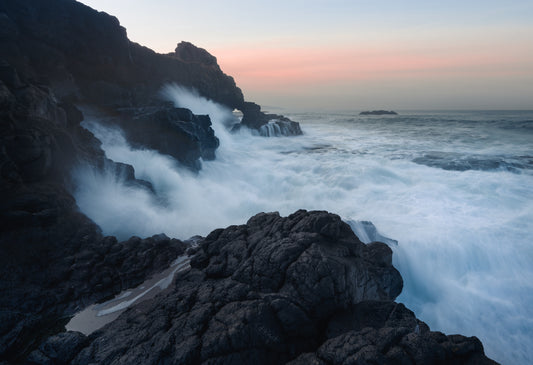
(388, 333)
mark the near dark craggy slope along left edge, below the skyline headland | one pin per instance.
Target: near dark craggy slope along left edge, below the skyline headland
(53, 259)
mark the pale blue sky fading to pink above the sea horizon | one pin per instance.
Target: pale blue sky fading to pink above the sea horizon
(352, 54)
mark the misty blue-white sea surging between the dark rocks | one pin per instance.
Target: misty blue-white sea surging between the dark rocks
(455, 189)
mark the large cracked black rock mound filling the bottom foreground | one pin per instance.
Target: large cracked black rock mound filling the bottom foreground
(301, 288)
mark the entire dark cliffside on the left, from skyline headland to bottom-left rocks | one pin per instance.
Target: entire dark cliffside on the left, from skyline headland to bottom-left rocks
(53, 54)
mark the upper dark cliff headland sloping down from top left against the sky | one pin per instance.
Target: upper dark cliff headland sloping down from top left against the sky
(86, 55)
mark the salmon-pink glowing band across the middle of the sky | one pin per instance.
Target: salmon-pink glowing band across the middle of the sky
(271, 68)
